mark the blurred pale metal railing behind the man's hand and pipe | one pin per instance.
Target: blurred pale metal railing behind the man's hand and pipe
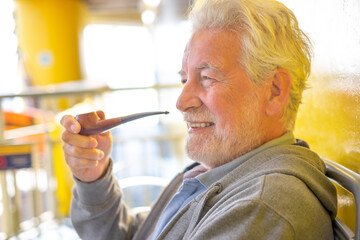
(44, 203)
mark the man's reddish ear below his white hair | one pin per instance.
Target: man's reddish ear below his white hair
(279, 91)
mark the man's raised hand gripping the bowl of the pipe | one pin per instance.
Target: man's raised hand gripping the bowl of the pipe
(87, 156)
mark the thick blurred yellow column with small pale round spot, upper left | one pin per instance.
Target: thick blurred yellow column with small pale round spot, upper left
(48, 33)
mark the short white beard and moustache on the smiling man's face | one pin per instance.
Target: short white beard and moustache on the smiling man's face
(224, 145)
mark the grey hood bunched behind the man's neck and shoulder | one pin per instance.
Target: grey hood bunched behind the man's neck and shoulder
(296, 160)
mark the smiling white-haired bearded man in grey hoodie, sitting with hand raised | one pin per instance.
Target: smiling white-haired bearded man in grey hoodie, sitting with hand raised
(243, 73)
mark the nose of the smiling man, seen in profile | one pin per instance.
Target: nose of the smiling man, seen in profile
(189, 97)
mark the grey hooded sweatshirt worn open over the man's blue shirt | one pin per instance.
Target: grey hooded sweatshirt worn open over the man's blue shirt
(280, 193)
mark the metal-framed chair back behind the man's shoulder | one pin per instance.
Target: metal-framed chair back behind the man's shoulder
(350, 181)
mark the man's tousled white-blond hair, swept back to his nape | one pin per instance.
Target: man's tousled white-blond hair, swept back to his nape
(270, 38)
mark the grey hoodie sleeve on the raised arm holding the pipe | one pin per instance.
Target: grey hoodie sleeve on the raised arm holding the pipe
(98, 212)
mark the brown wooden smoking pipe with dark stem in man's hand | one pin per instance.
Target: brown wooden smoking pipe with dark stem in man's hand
(91, 124)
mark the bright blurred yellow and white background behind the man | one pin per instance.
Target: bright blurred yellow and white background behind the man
(123, 56)
